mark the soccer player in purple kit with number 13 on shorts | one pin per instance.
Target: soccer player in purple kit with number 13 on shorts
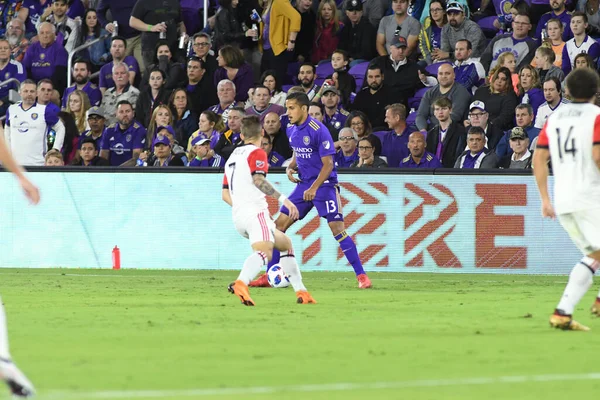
(317, 184)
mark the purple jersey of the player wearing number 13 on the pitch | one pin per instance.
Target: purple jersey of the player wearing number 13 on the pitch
(310, 142)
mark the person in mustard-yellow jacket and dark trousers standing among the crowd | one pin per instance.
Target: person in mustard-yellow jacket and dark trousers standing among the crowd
(277, 37)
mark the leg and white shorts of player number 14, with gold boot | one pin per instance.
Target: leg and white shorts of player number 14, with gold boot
(582, 232)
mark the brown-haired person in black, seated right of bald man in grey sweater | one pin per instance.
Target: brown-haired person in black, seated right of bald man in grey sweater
(499, 98)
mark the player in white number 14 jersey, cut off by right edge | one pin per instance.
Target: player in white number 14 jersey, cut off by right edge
(571, 139)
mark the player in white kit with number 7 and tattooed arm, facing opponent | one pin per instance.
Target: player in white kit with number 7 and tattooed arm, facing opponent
(244, 189)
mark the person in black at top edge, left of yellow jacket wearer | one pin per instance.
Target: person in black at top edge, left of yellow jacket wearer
(228, 26)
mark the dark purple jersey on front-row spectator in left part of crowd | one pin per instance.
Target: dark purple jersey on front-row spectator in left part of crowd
(122, 143)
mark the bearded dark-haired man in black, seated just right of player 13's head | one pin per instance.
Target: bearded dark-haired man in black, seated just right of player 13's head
(374, 97)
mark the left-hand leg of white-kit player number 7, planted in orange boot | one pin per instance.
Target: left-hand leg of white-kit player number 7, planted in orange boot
(259, 230)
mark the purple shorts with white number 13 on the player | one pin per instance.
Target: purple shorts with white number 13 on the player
(327, 201)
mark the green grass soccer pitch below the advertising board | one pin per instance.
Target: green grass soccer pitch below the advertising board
(91, 334)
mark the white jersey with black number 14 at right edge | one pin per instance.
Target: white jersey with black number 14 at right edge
(569, 134)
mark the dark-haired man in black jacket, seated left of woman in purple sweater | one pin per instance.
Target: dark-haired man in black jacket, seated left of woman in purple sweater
(200, 86)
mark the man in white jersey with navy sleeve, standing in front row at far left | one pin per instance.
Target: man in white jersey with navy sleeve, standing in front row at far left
(27, 127)
